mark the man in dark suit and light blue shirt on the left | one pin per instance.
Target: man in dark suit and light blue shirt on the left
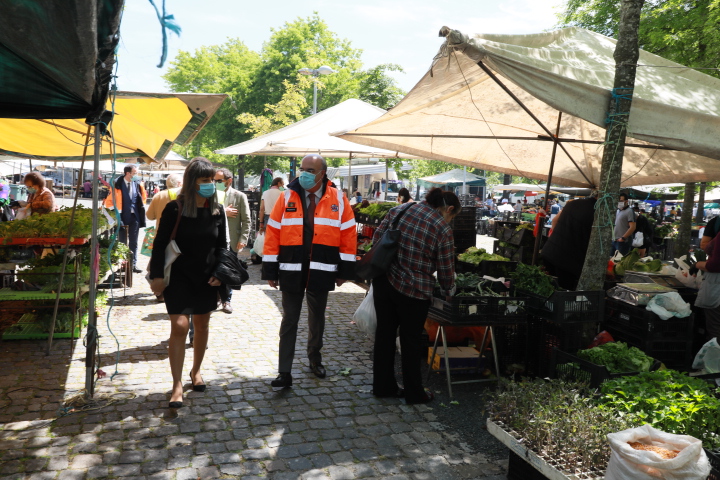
(130, 198)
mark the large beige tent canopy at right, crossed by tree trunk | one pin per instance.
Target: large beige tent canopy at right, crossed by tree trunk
(458, 113)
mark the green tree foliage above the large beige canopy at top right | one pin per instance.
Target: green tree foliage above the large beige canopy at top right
(680, 30)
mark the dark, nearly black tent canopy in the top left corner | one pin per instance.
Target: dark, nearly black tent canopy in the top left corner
(57, 57)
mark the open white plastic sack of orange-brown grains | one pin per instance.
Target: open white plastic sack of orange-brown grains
(626, 463)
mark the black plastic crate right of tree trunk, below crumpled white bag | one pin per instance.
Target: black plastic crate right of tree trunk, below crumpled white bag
(641, 322)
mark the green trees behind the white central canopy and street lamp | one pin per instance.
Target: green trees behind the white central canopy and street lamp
(267, 91)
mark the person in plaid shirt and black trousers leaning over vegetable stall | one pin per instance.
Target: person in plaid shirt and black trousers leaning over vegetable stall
(402, 296)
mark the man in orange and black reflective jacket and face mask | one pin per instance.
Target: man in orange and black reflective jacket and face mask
(310, 245)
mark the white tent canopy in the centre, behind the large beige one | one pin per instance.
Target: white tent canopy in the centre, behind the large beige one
(311, 135)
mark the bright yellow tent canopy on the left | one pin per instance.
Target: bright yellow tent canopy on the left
(145, 125)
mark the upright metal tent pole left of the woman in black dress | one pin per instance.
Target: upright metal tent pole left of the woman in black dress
(92, 336)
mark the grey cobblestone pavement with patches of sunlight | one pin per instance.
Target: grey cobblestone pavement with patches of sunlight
(240, 427)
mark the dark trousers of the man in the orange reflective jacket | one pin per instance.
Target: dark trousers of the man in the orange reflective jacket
(292, 305)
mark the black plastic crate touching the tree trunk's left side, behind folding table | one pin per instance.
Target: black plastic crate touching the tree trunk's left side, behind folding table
(568, 306)
